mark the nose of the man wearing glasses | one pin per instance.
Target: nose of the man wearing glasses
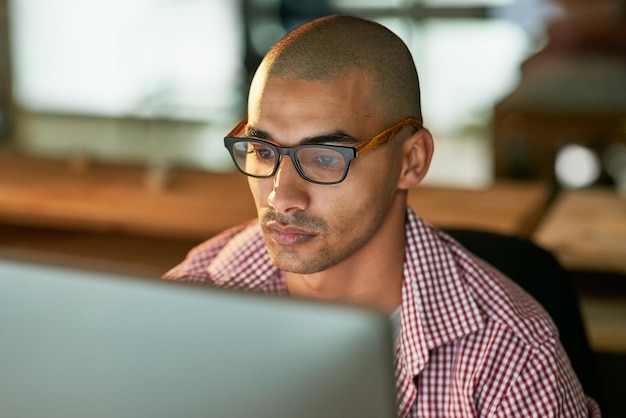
(289, 192)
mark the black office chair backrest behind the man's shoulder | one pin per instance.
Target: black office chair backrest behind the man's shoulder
(538, 272)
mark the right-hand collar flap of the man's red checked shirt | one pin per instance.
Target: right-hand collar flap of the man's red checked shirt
(437, 307)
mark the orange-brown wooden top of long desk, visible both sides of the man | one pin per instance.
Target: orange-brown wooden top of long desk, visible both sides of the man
(196, 204)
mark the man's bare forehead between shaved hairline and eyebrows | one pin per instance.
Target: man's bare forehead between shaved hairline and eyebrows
(295, 108)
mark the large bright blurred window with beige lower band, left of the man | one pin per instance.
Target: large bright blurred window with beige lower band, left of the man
(126, 79)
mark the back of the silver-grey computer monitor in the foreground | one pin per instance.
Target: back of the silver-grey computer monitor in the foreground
(75, 343)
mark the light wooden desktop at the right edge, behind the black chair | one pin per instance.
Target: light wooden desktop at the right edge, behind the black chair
(586, 229)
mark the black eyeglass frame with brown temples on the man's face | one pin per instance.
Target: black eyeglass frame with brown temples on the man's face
(349, 153)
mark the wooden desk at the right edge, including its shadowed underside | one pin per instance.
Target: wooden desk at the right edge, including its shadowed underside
(586, 230)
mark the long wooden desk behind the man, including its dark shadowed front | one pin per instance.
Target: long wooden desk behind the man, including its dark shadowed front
(106, 216)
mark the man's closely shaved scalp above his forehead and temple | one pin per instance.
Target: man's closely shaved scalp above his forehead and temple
(334, 46)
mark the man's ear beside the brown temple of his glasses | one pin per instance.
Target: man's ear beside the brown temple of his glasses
(417, 151)
